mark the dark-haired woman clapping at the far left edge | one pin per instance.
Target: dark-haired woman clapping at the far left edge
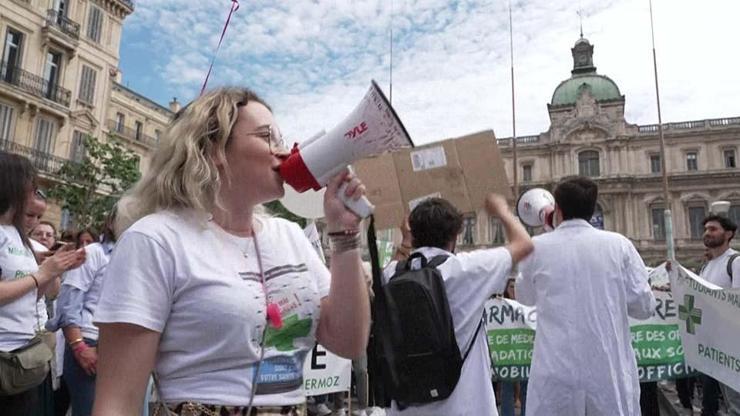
(22, 280)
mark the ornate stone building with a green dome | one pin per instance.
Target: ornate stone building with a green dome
(589, 136)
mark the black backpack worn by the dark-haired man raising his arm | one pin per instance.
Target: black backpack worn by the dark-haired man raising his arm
(419, 359)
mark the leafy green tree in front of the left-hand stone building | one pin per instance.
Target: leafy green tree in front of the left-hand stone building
(89, 188)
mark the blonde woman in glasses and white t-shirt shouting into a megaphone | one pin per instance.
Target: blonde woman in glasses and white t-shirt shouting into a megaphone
(223, 303)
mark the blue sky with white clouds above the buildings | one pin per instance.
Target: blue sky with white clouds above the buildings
(313, 60)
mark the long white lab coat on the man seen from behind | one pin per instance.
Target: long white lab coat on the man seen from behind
(585, 283)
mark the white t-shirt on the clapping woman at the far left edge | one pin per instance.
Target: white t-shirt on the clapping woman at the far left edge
(18, 319)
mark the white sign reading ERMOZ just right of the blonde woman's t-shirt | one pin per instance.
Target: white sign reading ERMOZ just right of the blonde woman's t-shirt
(324, 372)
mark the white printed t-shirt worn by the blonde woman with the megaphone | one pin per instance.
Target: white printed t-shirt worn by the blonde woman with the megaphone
(200, 287)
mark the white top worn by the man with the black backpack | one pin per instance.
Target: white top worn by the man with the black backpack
(470, 279)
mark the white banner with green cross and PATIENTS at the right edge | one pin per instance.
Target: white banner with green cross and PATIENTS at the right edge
(710, 325)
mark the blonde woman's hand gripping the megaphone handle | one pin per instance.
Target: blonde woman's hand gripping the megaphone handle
(338, 216)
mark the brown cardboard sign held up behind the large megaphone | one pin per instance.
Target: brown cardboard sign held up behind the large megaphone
(462, 170)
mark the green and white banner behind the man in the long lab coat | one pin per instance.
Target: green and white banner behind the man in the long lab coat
(657, 343)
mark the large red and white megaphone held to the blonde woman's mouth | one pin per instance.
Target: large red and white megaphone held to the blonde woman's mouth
(372, 128)
